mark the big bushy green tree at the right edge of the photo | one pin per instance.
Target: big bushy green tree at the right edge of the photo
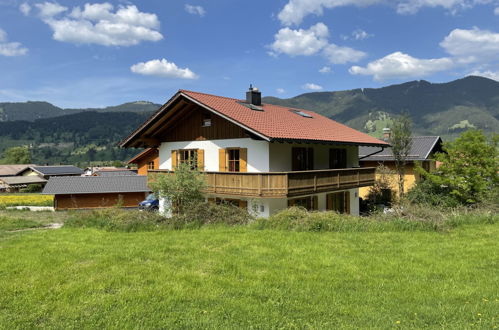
(469, 167)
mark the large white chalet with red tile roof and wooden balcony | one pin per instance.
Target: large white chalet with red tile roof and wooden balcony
(260, 156)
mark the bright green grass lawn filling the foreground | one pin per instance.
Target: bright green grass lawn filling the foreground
(221, 277)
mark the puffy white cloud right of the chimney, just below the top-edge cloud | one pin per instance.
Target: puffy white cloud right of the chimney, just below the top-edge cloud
(310, 42)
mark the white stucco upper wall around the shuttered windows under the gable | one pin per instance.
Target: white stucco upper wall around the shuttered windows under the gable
(258, 152)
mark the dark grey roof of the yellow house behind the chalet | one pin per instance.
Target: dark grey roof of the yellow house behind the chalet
(422, 147)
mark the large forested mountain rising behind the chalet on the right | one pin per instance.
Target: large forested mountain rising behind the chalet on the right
(443, 109)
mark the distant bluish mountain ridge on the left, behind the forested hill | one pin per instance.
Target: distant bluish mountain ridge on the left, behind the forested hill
(33, 110)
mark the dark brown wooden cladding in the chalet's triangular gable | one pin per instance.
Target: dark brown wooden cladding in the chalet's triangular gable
(188, 126)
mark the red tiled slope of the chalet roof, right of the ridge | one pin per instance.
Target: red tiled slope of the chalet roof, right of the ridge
(281, 123)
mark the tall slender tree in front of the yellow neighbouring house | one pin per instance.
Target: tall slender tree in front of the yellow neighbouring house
(401, 142)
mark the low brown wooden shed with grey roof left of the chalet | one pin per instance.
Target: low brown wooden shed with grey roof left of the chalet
(86, 192)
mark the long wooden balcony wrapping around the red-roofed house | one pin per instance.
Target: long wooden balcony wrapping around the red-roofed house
(286, 184)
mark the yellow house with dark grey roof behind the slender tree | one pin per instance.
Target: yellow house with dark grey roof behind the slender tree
(422, 151)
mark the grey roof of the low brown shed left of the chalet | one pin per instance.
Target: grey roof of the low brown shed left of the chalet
(95, 184)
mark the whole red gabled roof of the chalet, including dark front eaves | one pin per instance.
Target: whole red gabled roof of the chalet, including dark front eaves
(270, 122)
